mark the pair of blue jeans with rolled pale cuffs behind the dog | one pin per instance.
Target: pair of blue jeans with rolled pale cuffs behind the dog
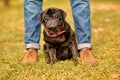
(81, 15)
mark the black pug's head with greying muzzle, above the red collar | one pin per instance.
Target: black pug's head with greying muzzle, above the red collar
(52, 18)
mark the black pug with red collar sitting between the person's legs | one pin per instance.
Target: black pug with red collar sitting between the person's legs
(60, 40)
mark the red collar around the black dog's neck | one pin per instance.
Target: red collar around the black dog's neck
(57, 34)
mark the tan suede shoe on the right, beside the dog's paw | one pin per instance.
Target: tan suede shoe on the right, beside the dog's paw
(87, 57)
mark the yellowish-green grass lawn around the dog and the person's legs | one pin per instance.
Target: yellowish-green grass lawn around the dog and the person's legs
(105, 40)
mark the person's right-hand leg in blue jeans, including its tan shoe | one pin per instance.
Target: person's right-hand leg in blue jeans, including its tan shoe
(81, 15)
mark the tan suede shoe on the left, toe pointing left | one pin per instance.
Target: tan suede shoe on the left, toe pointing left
(30, 57)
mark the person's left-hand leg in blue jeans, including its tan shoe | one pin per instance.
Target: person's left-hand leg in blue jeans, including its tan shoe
(32, 8)
